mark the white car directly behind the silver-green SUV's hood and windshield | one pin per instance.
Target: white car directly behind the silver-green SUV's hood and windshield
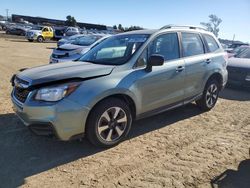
(77, 48)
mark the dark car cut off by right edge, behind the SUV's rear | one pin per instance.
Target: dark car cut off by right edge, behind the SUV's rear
(239, 69)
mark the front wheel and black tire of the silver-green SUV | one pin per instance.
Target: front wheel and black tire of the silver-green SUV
(96, 118)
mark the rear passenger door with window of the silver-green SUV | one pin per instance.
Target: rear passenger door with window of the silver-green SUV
(196, 62)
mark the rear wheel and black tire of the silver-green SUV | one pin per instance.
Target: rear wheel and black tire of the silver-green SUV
(210, 95)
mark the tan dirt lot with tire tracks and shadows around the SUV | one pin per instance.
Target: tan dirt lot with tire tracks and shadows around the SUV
(180, 148)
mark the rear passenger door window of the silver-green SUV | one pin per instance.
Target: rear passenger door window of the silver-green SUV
(192, 44)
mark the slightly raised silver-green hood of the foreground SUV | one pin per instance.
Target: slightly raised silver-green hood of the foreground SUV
(64, 71)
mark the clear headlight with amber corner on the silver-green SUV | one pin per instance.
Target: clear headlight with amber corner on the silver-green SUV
(56, 93)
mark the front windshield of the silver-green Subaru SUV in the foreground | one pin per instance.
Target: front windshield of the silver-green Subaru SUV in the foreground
(115, 50)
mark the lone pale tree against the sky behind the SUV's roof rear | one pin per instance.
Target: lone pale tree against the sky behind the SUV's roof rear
(213, 24)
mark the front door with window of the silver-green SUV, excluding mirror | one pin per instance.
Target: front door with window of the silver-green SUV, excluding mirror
(163, 86)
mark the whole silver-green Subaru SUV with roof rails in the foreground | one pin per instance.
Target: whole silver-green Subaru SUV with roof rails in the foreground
(128, 76)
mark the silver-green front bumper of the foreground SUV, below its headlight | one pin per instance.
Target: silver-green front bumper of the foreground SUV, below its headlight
(65, 118)
